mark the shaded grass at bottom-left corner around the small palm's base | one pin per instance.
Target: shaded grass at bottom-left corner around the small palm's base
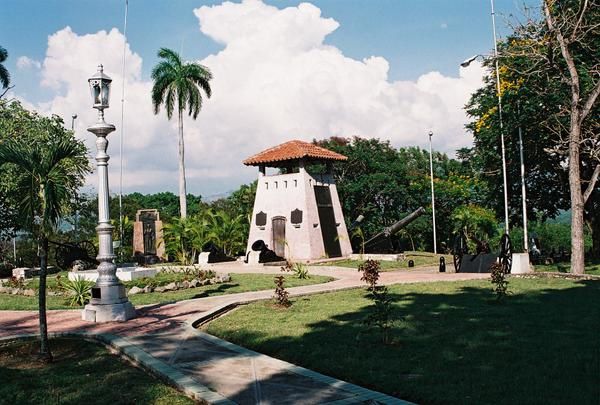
(82, 373)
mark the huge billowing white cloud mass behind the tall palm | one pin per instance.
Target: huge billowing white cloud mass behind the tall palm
(274, 80)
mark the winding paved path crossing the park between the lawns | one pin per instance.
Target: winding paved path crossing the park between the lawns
(163, 340)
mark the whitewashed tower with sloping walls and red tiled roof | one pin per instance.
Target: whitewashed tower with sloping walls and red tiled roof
(298, 215)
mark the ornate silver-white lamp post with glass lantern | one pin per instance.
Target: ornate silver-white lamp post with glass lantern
(109, 301)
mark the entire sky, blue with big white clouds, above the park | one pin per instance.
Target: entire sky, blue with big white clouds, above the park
(282, 70)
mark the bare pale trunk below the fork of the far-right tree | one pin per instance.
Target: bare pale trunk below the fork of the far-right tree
(577, 203)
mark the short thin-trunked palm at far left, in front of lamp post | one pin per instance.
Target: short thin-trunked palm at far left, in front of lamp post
(45, 187)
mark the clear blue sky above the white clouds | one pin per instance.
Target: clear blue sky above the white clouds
(415, 36)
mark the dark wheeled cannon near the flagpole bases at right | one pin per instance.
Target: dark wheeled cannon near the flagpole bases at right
(483, 258)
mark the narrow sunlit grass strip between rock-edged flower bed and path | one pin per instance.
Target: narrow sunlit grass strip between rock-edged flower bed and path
(238, 283)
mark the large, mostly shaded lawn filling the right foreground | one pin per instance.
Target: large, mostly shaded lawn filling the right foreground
(453, 342)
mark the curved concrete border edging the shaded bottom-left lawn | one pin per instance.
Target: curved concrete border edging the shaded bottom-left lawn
(143, 360)
